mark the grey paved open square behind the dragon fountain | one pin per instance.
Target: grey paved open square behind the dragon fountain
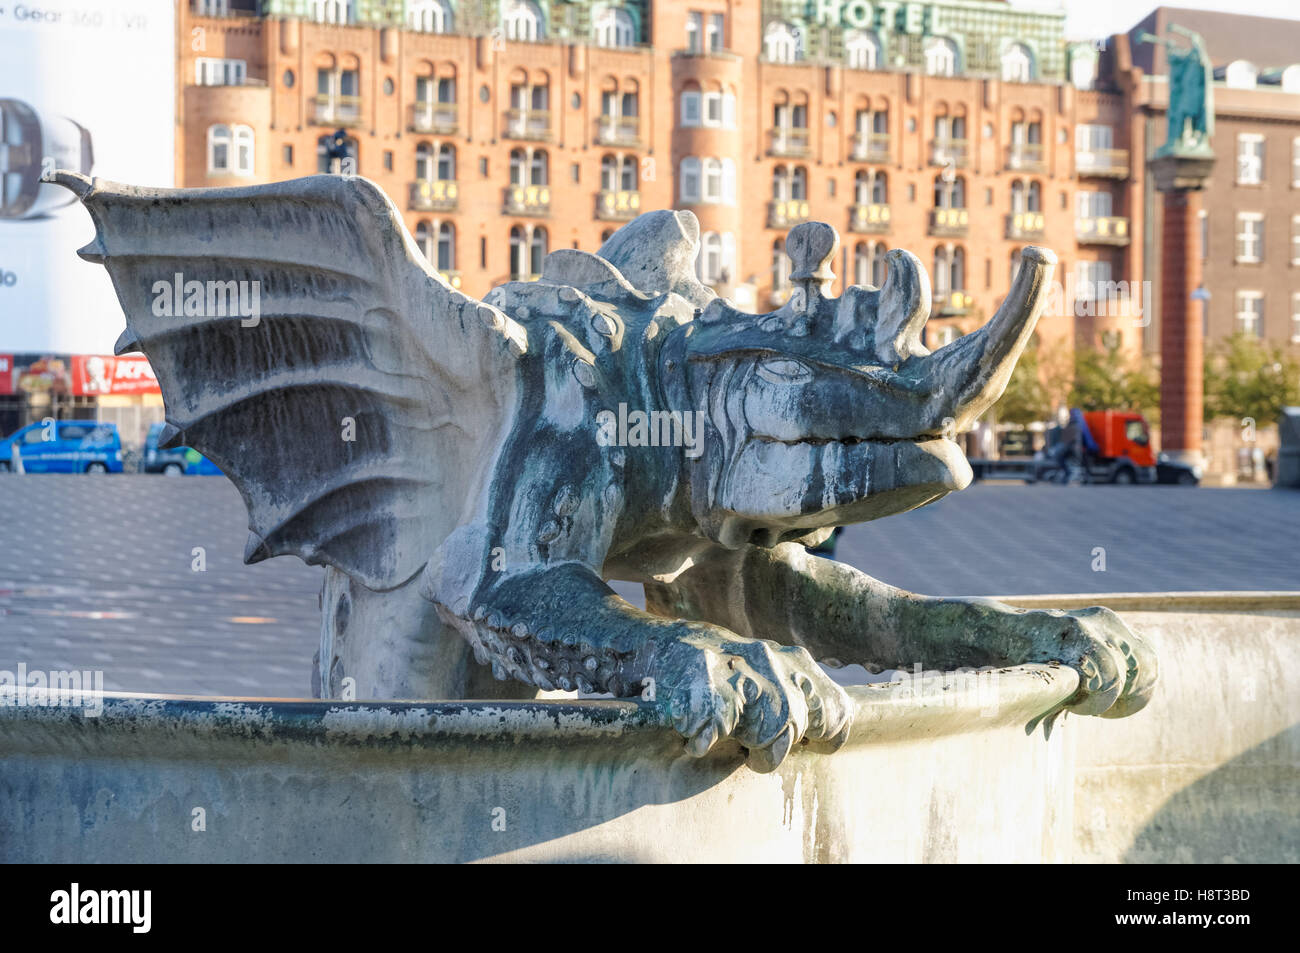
(103, 573)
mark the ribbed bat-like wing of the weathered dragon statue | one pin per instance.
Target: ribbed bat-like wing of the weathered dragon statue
(357, 406)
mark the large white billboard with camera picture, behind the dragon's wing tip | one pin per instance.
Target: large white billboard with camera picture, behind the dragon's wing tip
(85, 85)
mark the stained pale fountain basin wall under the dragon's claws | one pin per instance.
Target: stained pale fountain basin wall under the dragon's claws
(937, 770)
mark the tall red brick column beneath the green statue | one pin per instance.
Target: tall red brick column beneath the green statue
(1182, 341)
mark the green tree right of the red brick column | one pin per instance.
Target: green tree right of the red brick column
(1246, 378)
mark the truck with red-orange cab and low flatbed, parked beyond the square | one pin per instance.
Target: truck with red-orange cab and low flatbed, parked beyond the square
(1123, 454)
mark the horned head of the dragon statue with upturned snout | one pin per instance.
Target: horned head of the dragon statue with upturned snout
(831, 410)
